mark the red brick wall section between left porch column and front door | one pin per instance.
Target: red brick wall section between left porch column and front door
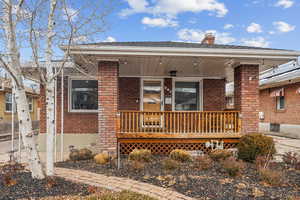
(129, 93)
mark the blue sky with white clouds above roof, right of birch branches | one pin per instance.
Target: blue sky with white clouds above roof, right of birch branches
(263, 23)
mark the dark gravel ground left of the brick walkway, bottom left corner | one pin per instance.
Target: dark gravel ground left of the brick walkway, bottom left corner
(28, 188)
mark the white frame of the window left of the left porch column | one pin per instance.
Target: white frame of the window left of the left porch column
(70, 79)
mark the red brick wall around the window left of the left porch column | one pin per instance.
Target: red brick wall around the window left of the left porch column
(74, 122)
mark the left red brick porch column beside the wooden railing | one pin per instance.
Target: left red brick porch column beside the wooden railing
(108, 73)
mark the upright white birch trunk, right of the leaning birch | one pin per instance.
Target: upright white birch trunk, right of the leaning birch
(50, 101)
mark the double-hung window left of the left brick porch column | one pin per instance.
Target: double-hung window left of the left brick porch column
(83, 95)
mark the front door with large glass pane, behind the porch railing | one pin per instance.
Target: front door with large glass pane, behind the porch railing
(152, 102)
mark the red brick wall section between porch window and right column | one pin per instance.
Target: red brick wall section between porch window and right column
(214, 94)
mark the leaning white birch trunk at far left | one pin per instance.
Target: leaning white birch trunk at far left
(14, 67)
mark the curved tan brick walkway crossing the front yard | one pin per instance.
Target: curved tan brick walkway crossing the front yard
(118, 184)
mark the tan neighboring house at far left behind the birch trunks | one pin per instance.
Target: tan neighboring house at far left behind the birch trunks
(6, 105)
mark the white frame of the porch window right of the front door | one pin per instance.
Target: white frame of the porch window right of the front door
(188, 79)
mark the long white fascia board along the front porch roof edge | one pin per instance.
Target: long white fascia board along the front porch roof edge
(173, 51)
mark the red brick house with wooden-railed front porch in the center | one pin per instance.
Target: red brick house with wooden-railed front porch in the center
(159, 95)
